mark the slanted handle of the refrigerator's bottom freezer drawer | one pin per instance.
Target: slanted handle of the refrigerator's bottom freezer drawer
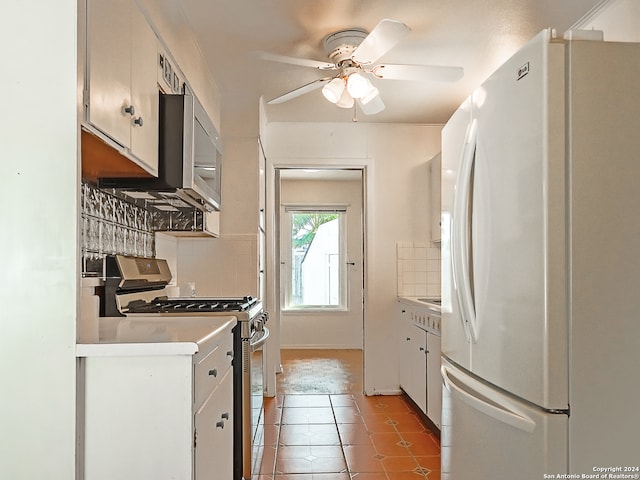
(499, 408)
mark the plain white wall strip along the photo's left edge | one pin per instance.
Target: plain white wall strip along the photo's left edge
(39, 284)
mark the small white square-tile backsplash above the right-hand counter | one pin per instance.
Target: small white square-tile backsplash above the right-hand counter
(418, 269)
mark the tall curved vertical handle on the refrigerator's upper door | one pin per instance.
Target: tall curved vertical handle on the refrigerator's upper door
(461, 251)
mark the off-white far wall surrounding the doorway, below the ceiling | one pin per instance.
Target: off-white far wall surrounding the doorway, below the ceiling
(395, 158)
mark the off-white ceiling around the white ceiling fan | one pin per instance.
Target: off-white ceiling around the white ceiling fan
(477, 35)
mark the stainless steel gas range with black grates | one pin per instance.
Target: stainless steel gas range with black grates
(136, 288)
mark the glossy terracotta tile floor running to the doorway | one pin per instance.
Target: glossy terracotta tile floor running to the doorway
(321, 427)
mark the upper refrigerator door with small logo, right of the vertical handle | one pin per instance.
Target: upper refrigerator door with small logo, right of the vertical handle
(517, 259)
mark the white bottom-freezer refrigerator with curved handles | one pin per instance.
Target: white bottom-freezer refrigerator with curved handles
(541, 266)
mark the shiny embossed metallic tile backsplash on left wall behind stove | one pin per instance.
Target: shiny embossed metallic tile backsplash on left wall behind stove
(112, 225)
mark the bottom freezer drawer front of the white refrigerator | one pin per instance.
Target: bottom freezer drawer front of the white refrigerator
(488, 435)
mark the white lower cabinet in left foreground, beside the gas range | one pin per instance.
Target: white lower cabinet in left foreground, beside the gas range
(158, 414)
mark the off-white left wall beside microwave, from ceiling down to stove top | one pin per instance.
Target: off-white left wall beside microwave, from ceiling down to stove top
(224, 266)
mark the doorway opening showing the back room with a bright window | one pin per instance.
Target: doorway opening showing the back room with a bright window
(320, 254)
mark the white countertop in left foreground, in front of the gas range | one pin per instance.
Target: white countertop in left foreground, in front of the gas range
(155, 335)
